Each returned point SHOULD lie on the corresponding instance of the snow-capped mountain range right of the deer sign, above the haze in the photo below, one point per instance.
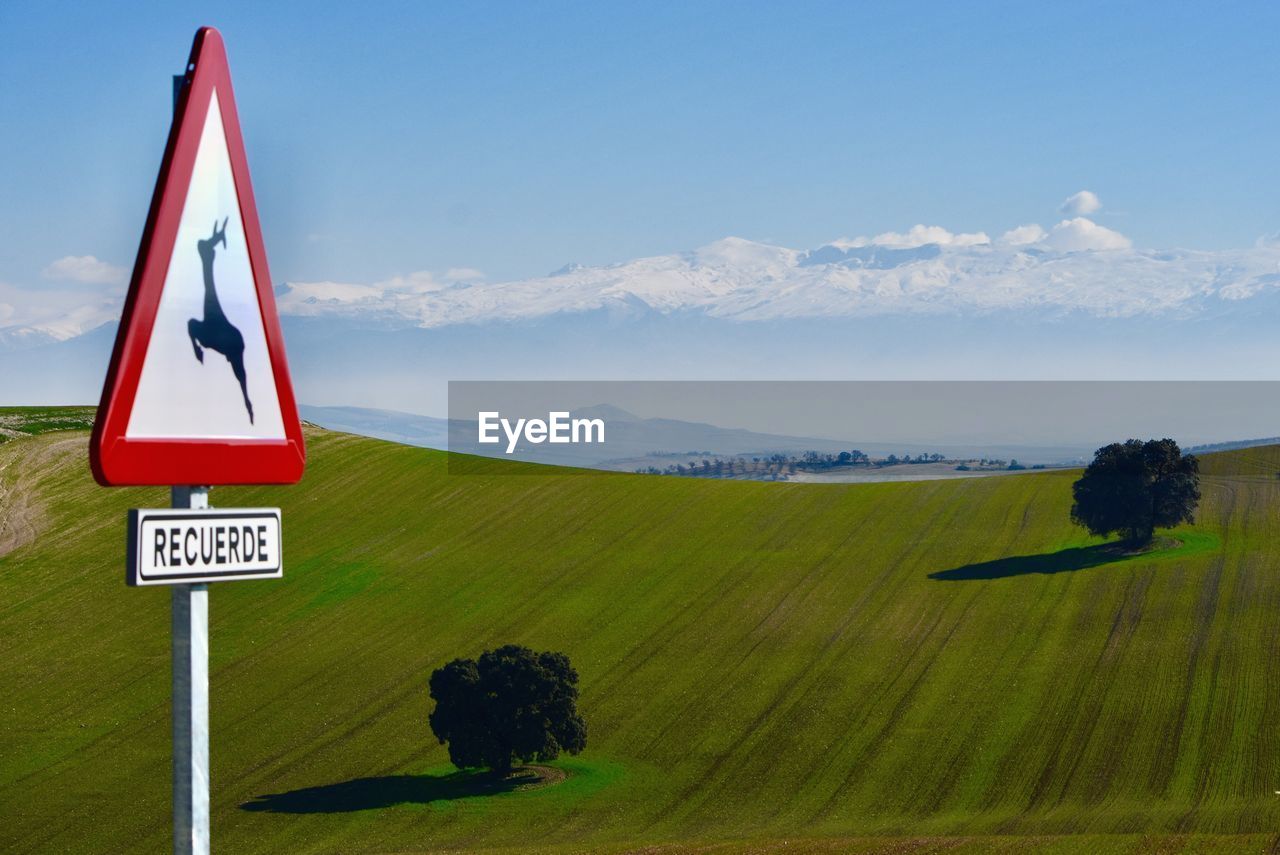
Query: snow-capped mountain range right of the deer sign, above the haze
(1078, 267)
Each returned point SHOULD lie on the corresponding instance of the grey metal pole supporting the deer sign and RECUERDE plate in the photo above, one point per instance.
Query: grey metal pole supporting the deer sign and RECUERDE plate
(190, 703)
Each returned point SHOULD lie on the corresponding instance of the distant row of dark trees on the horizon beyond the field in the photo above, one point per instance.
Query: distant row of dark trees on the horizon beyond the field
(780, 467)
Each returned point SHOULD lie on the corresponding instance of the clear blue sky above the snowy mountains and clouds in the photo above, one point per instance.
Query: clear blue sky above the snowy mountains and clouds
(515, 138)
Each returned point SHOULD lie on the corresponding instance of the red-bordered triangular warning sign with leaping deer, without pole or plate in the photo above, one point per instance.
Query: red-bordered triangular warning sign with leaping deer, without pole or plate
(199, 391)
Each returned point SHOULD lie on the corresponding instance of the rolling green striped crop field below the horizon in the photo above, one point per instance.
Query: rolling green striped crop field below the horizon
(765, 667)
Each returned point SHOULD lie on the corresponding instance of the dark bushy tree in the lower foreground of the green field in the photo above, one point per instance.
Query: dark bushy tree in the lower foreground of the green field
(510, 706)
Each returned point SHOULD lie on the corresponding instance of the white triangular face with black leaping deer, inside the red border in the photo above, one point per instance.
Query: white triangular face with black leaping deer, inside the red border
(208, 374)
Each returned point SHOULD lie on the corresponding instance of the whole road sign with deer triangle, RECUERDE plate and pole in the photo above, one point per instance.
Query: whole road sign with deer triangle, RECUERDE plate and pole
(198, 394)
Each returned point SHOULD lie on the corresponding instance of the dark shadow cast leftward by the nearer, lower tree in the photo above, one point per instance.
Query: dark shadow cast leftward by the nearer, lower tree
(386, 792)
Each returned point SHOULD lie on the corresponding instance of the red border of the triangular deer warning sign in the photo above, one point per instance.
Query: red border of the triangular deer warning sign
(118, 460)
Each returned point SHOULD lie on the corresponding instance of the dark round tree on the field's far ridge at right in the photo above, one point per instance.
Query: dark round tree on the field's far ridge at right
(1137, 487)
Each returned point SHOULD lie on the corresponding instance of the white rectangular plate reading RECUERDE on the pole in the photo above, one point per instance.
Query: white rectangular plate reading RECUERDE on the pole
(182, 547)
